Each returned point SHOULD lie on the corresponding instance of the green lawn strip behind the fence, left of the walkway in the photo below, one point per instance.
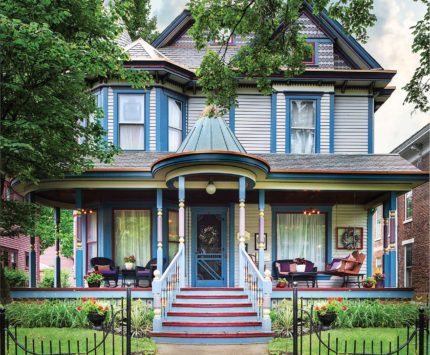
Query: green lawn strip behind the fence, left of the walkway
(75, 335)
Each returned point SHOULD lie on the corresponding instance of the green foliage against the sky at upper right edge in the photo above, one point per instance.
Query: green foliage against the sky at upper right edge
(418, 87)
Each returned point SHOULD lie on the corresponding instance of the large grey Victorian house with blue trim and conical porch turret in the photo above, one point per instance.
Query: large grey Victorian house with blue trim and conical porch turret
(296, 167)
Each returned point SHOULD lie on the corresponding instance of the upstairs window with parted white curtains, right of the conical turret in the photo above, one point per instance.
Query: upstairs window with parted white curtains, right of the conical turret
(302, 126)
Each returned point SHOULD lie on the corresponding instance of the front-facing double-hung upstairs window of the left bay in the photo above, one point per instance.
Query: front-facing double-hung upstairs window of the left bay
(131, 121)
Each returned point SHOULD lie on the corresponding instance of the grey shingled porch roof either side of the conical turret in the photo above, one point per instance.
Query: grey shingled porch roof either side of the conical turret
(288, 163)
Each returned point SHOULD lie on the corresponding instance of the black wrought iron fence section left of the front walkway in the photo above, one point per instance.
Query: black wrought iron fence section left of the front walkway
(115, 337)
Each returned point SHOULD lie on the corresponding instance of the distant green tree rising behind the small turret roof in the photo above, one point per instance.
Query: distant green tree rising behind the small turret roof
(138, 20)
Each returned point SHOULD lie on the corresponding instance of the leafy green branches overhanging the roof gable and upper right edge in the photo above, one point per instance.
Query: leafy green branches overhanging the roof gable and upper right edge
(277, 44)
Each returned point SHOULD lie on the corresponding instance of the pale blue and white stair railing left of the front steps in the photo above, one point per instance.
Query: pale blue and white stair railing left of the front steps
(166, 287)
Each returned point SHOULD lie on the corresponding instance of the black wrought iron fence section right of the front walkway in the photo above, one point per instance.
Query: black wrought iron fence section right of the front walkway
(308, 337)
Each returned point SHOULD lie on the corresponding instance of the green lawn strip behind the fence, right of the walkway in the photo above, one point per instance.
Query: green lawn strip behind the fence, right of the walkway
(386, 335)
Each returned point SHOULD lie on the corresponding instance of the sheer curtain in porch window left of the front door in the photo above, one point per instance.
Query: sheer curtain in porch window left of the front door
(132, 235)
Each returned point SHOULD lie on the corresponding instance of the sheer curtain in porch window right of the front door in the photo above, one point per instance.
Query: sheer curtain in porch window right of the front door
(301, 236)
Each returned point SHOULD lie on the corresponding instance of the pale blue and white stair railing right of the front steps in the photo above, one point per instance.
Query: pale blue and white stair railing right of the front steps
(256, 286)
